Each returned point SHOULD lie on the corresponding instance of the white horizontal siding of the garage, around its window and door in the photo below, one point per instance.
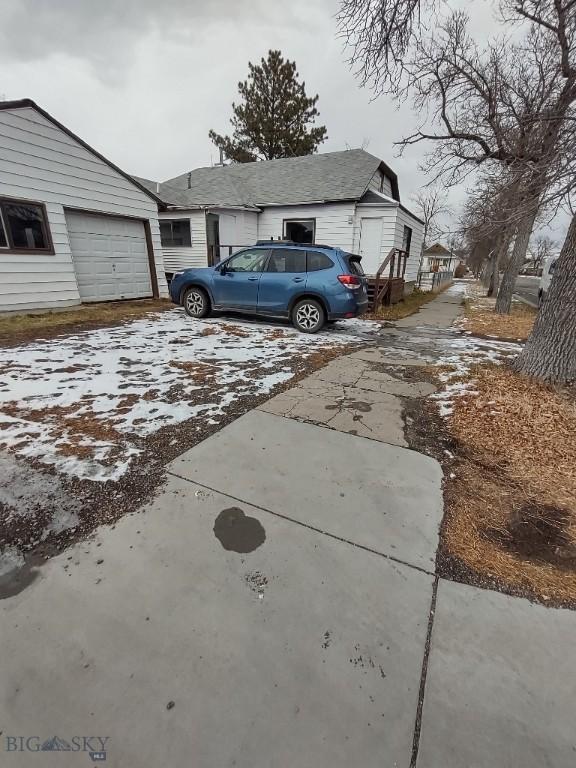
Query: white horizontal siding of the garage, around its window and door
(40, 162)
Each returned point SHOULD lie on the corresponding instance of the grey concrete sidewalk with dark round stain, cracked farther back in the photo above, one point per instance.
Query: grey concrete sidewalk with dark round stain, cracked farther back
(276, 606)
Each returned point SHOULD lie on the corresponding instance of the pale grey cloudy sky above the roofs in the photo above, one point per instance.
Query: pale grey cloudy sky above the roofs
(143, 81)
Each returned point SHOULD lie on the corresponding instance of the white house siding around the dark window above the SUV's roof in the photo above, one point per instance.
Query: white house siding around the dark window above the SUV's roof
(334, 222)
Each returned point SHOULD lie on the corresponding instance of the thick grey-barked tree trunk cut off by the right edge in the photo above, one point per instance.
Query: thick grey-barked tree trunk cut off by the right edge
(550, 352)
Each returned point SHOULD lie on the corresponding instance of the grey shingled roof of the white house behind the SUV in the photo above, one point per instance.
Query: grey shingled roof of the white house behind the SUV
(330, 177)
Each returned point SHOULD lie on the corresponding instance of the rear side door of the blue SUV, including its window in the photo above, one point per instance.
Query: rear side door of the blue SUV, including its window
(284, 278)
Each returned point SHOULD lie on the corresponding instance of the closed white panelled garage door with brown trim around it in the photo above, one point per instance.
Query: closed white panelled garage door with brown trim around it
(110, 257)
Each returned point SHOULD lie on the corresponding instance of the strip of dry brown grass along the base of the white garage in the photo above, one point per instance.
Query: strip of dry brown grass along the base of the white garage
(27, 326)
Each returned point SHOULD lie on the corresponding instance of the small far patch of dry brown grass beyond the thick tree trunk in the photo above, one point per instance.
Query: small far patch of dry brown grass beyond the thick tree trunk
(481, 320)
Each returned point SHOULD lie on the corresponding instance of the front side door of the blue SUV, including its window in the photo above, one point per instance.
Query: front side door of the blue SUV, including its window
(237, 287)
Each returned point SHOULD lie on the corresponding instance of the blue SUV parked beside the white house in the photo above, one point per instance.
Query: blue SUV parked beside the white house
(309, 284)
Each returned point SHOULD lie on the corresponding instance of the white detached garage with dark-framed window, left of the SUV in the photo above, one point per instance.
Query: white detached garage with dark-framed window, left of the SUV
(73, 227)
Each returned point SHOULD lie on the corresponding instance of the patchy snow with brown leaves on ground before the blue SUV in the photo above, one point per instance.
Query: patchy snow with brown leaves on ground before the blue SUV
(83, 403)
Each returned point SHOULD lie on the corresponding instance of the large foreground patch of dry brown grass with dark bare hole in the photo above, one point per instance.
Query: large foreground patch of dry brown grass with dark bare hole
(511, 507)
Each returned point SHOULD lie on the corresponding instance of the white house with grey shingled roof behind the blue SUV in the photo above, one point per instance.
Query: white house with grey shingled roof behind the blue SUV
(346, 199)
